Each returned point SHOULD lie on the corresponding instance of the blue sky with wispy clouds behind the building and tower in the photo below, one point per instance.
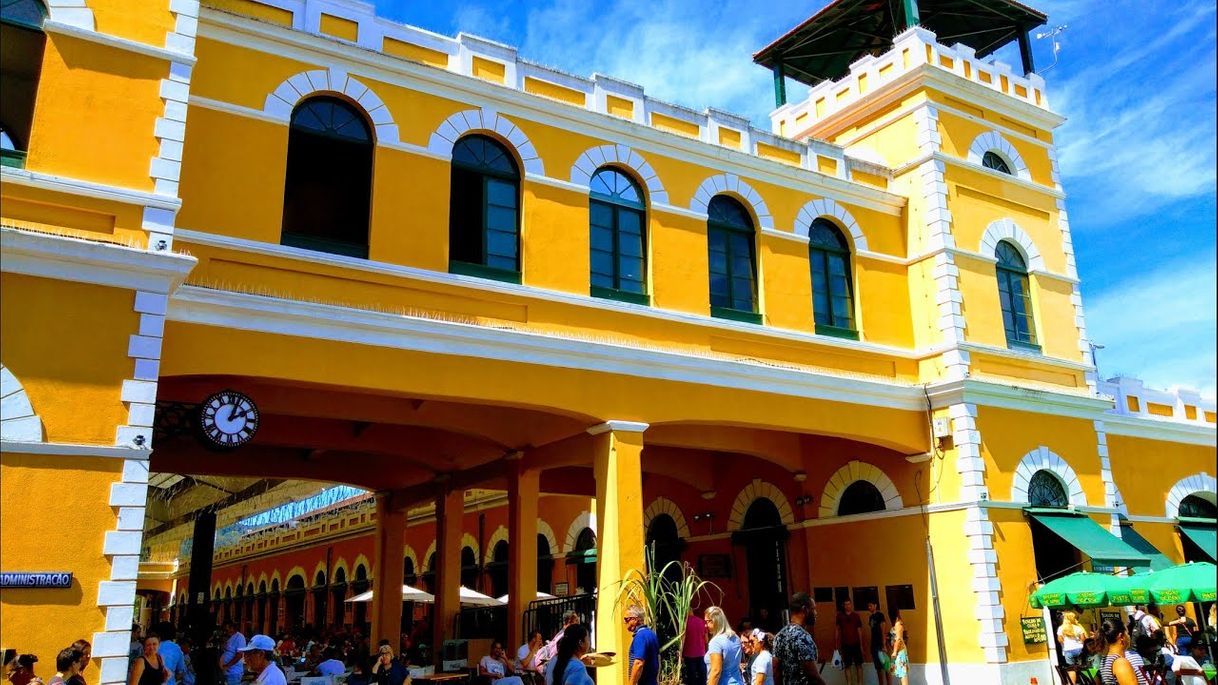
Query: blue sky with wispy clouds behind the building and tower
(1135, 77)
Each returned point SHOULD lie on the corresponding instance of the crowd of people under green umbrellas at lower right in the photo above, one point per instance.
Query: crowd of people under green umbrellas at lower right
(1149, 649)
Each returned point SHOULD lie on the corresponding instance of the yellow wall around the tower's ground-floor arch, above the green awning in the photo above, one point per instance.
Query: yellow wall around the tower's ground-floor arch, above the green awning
(1008, 436)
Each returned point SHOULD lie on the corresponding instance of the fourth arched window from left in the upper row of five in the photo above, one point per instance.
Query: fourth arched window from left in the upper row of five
(733, 252)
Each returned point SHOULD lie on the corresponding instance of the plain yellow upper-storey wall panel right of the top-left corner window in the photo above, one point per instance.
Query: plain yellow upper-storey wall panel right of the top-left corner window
(96, 113)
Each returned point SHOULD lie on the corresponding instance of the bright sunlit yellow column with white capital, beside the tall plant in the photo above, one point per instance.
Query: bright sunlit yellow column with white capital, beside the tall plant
(618, 469)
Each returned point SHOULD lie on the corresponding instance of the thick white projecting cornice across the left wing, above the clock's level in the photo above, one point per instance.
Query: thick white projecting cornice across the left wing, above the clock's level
(83, 261)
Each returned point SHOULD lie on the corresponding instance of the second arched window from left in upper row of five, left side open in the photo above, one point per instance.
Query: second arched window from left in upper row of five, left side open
(484, 211)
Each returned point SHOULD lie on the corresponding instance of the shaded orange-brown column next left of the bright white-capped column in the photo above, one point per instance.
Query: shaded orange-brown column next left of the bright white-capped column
(523, 491)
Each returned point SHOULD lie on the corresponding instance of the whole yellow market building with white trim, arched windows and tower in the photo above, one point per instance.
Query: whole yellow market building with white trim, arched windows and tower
(882, 291)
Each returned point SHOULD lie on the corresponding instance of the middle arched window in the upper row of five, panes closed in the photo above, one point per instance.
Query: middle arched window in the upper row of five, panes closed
(618, 236)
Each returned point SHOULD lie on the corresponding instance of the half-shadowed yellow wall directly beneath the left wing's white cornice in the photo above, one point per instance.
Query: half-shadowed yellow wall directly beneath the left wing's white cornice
(68, 341)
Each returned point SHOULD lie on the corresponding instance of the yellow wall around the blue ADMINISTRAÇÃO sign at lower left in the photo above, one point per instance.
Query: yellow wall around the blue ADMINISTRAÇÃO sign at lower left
(54, 514)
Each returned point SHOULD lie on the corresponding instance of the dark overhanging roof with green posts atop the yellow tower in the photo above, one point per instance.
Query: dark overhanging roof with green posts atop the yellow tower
(824, 47)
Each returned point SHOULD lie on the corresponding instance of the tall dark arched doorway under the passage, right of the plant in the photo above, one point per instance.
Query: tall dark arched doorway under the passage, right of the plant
(764, 538)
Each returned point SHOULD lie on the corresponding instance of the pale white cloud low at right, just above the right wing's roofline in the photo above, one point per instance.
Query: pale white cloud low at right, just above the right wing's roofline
(1160, 327)
